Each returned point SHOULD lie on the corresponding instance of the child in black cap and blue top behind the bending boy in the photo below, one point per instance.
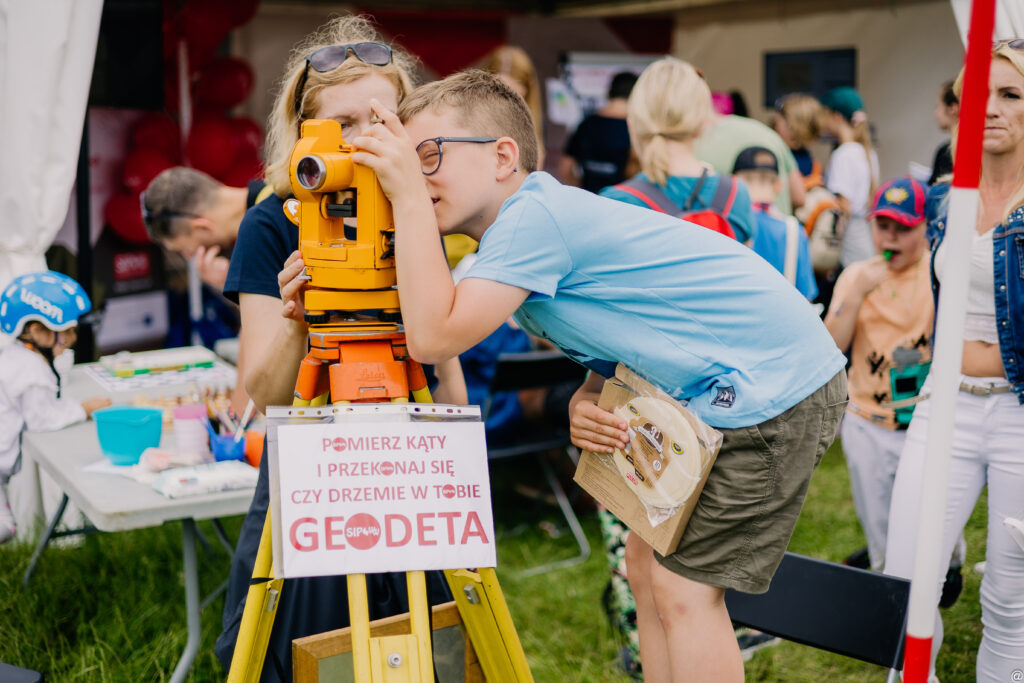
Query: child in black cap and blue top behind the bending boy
(781, 240)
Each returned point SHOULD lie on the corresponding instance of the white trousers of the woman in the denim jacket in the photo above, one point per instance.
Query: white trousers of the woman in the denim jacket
(988, 451)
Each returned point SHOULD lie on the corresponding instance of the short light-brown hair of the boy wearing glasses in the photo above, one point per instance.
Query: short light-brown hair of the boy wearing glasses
(485, 105)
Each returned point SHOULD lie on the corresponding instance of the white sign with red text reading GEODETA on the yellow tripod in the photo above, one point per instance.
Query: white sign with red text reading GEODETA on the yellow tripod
(373, 497)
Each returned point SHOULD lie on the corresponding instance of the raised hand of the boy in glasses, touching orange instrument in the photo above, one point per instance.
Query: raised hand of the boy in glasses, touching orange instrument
(388, 150)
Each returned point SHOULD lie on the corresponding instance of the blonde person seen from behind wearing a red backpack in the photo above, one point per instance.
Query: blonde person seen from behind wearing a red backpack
(667, 112)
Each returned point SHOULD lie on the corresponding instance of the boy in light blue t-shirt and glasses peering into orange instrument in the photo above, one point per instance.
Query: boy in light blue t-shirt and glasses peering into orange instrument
(702, 317)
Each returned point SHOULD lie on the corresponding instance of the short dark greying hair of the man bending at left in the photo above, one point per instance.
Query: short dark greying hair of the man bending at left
(177, 193)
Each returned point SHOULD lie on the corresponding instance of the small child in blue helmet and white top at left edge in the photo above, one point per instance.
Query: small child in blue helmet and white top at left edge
(41, 312)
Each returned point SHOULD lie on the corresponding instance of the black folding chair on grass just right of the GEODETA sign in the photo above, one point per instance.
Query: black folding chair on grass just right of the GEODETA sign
(535, 370)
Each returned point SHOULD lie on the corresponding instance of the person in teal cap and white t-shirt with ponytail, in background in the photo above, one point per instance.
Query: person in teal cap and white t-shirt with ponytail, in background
(854, 169)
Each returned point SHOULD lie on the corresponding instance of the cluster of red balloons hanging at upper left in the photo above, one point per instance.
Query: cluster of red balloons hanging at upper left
(224, 146)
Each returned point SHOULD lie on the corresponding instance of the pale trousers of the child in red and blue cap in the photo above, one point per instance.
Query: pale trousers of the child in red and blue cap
(872, 456)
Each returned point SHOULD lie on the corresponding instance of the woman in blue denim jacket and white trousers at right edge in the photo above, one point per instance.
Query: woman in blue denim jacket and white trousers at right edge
(989, 433)
